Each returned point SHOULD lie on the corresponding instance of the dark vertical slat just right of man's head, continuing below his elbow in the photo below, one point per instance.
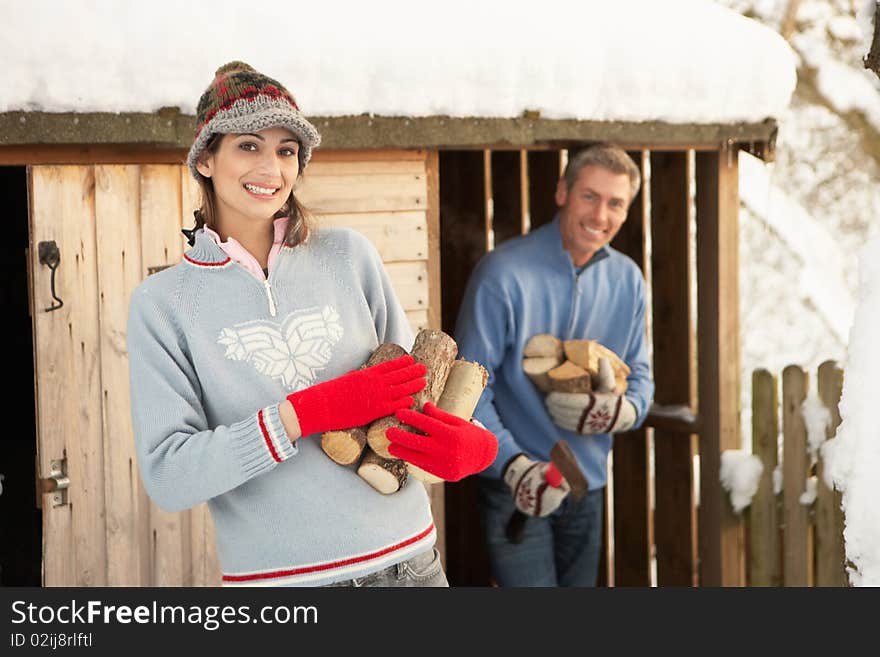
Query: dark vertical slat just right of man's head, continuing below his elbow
(633, 530)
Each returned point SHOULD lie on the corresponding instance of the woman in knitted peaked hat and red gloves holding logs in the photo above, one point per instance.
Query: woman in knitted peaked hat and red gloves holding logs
(253, 344)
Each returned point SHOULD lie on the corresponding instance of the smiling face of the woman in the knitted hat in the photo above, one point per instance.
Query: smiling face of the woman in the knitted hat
(253, 175)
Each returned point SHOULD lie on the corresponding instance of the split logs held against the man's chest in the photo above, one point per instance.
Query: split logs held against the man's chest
(571, 365)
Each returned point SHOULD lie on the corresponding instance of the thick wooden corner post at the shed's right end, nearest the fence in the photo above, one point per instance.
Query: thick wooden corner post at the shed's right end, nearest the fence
(721, 536)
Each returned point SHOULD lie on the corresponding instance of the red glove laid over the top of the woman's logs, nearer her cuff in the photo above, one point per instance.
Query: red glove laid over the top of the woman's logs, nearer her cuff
(358, 397)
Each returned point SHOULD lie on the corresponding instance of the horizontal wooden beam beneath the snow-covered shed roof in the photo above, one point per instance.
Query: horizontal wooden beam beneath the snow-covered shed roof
(171, 129)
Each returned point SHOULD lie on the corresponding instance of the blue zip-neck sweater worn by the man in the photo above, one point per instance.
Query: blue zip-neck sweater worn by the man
(528, 286)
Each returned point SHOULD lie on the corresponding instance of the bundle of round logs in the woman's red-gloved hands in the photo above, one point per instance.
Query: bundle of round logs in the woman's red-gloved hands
(453, 385)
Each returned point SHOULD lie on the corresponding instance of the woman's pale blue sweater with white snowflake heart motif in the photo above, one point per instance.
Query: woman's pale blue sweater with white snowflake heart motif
(212, 352)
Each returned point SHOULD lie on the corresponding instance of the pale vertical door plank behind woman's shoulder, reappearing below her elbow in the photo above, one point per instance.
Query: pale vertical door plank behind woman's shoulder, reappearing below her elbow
(160, 204)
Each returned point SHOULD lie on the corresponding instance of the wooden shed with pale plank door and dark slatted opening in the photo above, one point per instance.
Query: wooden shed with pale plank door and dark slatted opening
(96, 203)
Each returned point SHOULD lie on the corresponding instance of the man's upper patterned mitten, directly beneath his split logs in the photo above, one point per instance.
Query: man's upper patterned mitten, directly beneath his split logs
(593, 412)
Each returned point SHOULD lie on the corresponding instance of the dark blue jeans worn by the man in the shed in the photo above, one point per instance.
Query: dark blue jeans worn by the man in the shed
(561, 549)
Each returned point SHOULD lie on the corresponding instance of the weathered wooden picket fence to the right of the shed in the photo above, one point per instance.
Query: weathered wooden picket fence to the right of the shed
(790, 543)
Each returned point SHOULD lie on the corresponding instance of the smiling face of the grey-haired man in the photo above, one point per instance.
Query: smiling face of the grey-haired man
(592, 211)
